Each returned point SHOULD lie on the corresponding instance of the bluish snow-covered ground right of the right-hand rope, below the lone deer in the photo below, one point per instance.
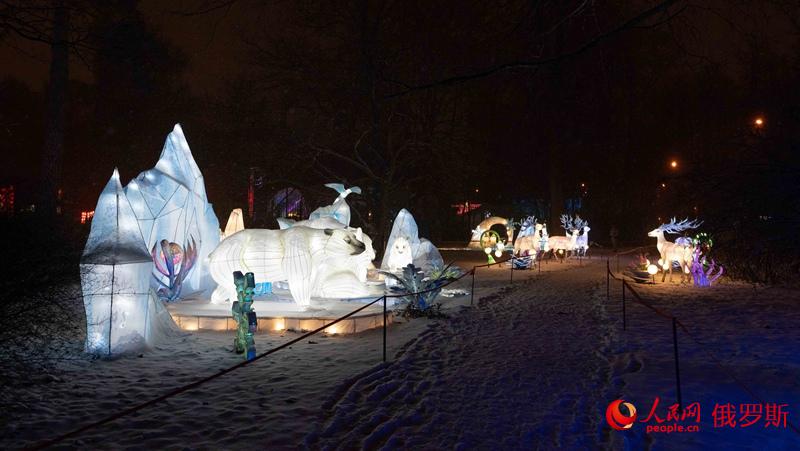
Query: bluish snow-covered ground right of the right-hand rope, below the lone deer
(748, 339)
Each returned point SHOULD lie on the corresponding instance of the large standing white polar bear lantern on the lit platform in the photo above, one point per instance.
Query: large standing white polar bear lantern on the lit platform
(307, 258)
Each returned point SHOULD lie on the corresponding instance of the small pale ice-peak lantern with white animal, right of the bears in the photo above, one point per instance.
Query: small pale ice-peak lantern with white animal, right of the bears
(405, 246)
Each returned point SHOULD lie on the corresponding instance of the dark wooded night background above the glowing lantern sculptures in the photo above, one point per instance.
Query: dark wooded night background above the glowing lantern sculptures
(425, 106)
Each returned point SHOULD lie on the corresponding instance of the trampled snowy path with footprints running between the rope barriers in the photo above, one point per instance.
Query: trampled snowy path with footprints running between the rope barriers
(522, 369)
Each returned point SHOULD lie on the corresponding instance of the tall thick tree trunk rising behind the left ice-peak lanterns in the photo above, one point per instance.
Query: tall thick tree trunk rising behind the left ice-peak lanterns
(54, 116)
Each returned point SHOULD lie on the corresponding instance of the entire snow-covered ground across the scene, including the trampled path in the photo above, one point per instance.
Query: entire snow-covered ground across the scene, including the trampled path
(530, 366)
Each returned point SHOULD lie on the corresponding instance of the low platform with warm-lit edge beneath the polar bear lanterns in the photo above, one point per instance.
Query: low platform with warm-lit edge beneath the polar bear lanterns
(277, 314)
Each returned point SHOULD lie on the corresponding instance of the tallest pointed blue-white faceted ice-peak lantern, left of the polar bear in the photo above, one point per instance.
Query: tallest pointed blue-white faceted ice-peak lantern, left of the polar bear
(169, 202)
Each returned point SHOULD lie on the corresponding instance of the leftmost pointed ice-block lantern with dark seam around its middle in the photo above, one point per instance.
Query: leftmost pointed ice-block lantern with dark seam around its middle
(115, 267)
